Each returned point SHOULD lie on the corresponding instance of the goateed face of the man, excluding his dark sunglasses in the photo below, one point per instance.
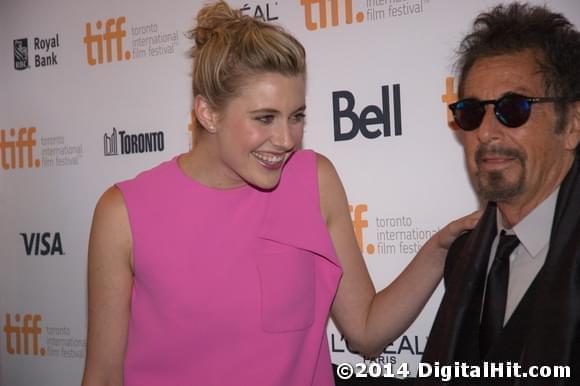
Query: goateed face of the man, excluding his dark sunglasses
(522, 165)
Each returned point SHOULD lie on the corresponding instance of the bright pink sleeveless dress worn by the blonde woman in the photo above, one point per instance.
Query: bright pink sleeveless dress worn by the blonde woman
(231, 287)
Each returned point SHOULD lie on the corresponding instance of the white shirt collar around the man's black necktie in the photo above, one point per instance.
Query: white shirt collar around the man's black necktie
(534, 229)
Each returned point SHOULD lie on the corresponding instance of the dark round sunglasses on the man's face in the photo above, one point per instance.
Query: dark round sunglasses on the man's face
(512, 110)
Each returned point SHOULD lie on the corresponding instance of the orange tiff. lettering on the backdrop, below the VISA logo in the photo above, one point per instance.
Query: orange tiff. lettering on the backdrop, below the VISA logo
(23, 336)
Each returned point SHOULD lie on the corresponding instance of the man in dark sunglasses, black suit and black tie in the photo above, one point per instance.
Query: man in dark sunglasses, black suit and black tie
(513, 283)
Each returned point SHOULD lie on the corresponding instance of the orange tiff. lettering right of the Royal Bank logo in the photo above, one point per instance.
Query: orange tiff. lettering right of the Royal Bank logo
(114, 32)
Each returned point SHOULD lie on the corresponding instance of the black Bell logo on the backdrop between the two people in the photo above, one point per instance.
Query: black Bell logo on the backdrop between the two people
(370, 115)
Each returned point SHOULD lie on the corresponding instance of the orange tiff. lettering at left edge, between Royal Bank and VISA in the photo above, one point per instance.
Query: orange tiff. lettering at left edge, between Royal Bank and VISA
(15, 149)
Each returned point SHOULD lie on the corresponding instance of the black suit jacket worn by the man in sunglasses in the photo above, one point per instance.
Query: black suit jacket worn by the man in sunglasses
(544, 328)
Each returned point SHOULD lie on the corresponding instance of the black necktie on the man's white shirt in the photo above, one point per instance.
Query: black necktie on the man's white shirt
(496, 293)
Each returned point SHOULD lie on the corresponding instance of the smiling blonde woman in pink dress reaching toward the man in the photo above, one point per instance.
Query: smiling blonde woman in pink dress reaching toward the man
(221, 266)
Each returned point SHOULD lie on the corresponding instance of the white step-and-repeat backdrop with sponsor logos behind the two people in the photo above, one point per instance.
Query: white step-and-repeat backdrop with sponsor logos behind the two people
(92, 92)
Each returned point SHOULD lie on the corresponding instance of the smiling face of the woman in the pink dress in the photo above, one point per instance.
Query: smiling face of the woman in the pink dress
(259, 129)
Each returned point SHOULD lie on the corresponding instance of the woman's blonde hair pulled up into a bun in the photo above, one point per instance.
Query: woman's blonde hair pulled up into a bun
(230, 48)
